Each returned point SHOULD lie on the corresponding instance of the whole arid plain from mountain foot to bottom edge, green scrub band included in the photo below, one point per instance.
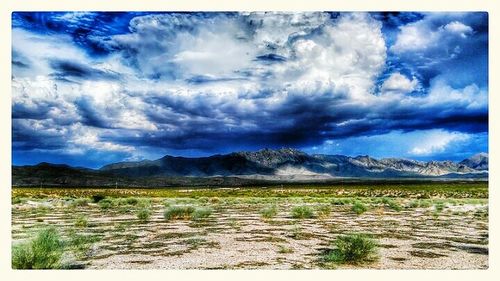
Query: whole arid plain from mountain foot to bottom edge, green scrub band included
(415, 226)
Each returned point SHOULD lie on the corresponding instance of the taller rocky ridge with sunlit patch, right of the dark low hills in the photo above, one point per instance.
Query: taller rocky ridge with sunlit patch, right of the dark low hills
(292, 162)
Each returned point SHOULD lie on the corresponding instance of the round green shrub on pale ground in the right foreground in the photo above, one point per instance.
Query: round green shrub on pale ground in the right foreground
(353, 248)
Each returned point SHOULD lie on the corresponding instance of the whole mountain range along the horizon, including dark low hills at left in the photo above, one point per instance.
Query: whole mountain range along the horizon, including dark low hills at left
(284, 164)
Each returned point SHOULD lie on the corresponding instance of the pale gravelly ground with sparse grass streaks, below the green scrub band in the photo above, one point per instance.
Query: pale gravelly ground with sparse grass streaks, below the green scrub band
(236, 237)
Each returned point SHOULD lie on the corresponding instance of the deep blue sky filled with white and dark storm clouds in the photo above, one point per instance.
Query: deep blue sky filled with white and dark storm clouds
(92, 88)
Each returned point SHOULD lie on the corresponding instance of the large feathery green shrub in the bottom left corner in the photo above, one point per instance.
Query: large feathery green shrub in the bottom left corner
(42, 252)
